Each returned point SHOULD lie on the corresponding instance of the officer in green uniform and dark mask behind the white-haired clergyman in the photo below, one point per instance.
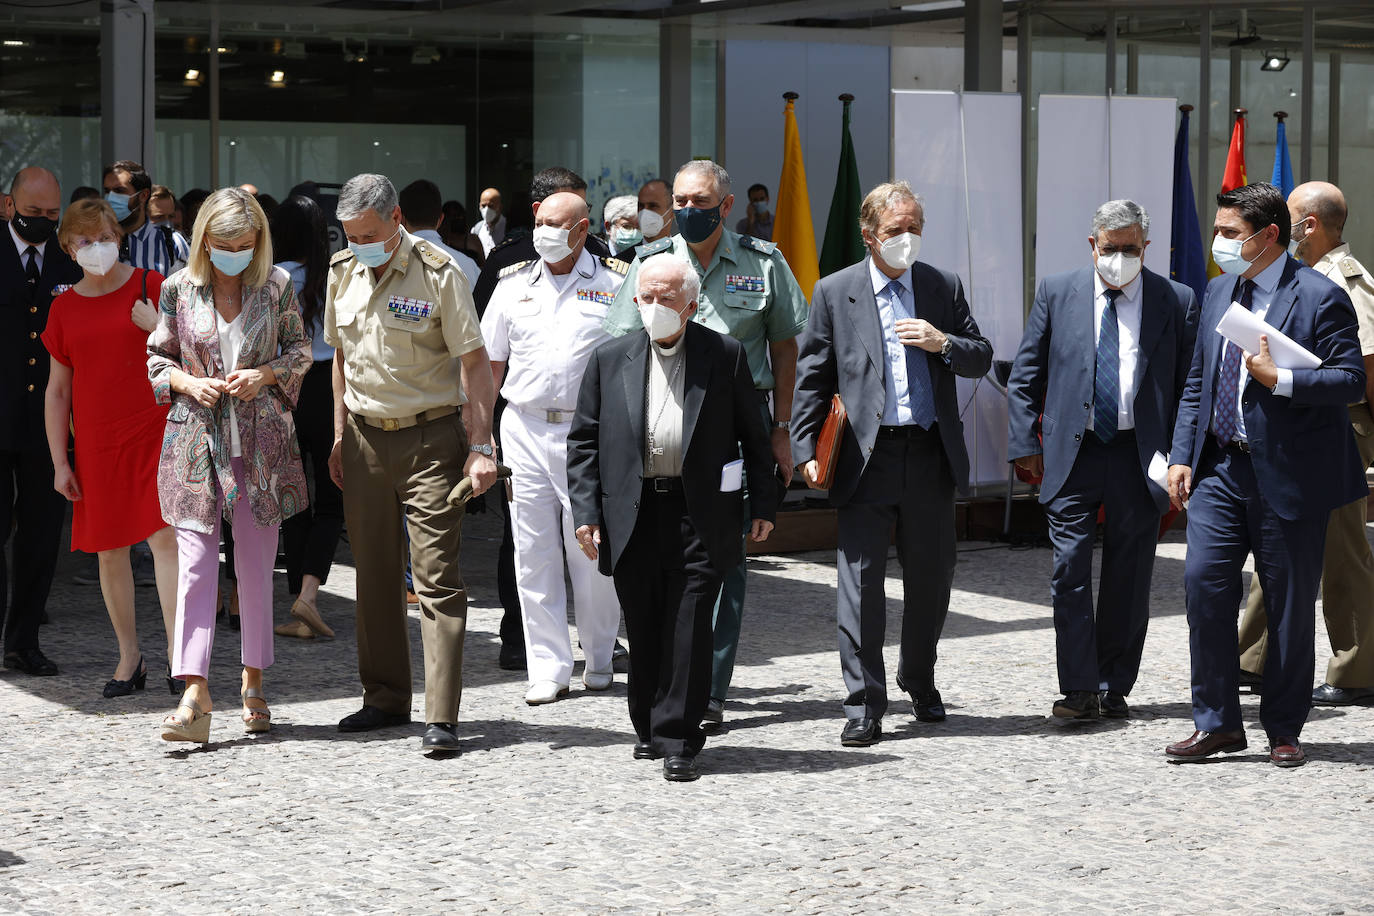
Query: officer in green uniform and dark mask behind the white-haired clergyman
(750, 293)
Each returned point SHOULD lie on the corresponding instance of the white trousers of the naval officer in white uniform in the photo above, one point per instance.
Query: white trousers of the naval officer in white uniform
(542, 520)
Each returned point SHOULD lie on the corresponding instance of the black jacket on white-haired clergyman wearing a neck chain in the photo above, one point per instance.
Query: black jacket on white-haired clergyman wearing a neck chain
(721, 415)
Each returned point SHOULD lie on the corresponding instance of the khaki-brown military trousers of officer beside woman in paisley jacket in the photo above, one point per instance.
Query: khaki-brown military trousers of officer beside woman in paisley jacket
(385, 474)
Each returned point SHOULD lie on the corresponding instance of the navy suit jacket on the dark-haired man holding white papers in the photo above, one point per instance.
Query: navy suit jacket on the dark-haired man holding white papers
(1303, 450)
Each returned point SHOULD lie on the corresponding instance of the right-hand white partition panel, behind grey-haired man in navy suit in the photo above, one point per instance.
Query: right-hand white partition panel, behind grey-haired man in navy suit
(1092, 152)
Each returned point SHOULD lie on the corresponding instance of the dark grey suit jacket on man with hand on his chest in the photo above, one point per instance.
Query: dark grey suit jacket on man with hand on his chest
(843, 351)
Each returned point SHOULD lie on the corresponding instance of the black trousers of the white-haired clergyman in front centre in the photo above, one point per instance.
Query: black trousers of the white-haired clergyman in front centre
(668, 588)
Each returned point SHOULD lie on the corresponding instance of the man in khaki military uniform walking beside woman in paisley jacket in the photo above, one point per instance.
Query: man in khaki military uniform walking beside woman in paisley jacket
(413, 415)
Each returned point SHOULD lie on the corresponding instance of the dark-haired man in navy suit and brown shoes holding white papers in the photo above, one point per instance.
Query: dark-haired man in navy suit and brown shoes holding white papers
(1266, 454)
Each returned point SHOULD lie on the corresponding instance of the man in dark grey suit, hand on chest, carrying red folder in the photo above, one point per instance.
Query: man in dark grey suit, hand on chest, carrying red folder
(890, 336)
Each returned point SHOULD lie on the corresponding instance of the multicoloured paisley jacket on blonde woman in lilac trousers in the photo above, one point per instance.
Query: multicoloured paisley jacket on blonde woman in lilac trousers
(194, 468)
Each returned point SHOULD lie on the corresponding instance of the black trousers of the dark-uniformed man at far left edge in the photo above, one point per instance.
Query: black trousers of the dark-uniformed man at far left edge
(32, 512)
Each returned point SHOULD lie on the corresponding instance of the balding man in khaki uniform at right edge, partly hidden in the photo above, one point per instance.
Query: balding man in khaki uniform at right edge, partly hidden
(1318, 212)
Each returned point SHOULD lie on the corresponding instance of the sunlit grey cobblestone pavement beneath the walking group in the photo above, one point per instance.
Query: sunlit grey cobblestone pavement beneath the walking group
(1000, 810)
